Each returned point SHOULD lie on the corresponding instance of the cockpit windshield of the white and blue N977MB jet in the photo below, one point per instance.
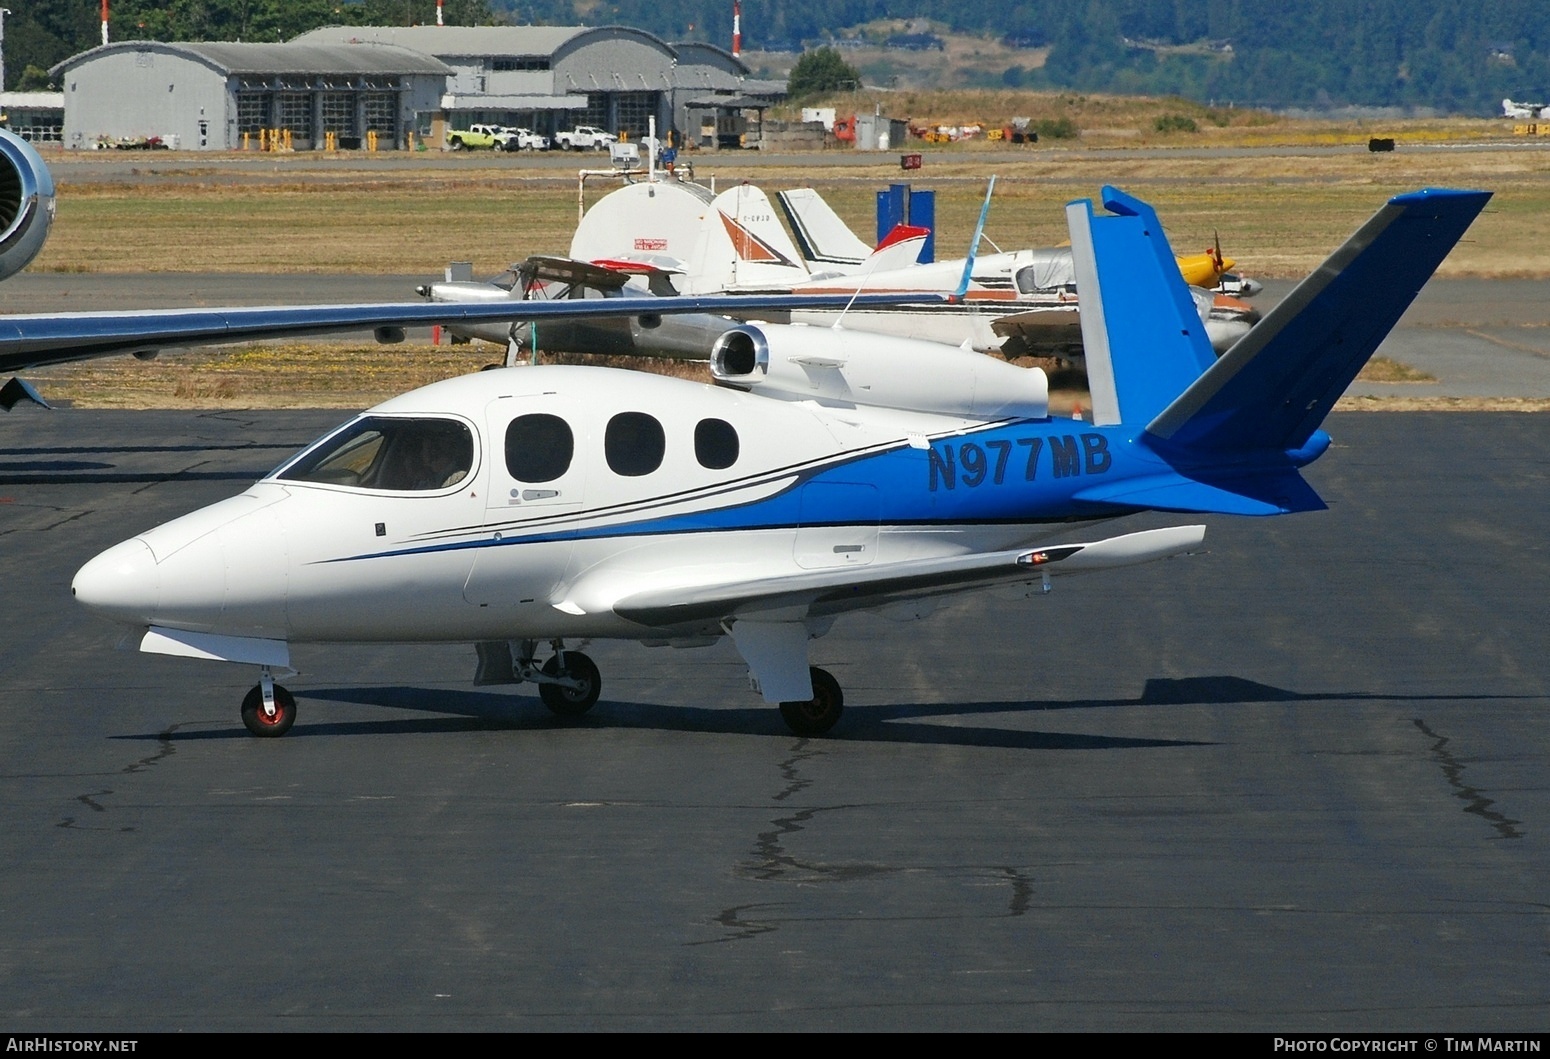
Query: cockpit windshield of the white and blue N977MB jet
(391, 454)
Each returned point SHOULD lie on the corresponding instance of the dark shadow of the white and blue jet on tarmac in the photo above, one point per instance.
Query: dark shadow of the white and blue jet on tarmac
(463, 711)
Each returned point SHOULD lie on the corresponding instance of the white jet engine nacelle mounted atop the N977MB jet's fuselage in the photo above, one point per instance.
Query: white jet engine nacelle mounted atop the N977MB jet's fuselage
(836, 367)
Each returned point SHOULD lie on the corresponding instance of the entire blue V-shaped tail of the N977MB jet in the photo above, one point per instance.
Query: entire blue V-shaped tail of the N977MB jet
(1233, 433)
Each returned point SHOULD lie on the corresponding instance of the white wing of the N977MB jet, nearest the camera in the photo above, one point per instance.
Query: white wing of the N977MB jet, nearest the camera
(850, 588)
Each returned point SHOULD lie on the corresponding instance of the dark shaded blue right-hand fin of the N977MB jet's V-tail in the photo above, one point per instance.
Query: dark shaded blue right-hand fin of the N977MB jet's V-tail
(1276, 385)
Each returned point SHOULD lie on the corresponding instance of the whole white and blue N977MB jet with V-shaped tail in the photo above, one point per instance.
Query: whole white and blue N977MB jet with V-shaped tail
(824, 472)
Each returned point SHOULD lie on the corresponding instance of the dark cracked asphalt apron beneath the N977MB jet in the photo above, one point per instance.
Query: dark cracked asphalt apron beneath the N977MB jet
(1293, 784)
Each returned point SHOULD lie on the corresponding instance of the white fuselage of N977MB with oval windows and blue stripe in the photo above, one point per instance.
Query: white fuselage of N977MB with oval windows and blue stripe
(346, 554)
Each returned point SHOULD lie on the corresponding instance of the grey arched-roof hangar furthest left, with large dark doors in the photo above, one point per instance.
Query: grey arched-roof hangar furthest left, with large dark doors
(208, 95)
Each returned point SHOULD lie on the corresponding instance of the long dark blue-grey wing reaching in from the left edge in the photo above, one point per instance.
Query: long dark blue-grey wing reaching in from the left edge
(53, 339)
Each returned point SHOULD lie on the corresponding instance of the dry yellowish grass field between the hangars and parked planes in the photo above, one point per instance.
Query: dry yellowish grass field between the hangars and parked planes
(1278, 212)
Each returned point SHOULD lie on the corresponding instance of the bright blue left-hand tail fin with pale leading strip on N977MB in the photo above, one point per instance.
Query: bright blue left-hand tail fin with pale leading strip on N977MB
(1142, 334)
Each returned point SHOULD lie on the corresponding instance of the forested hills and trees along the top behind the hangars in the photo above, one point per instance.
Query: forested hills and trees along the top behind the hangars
(1453, 55)
